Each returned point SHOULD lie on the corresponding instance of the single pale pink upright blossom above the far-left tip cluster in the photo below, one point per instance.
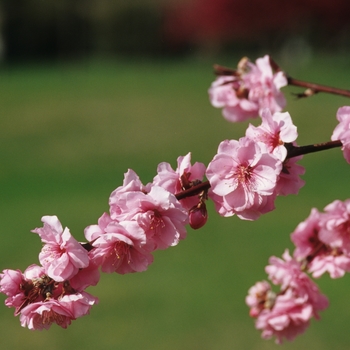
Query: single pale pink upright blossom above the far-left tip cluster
(62, 256)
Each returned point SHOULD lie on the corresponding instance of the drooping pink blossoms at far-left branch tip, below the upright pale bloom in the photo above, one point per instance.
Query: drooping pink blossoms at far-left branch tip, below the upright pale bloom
(40, 300)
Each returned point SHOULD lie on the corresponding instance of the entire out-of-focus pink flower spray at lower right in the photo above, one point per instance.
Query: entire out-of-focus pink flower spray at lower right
(322, 245)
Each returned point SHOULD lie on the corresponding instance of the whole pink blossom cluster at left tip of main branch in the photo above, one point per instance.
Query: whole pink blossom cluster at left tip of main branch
(53, 292)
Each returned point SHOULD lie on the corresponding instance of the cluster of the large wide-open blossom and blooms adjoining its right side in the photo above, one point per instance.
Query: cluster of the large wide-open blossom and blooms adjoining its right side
(247, 175)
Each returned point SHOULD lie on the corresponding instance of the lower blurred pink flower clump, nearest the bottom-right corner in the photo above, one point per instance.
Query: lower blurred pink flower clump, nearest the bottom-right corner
(287, 313)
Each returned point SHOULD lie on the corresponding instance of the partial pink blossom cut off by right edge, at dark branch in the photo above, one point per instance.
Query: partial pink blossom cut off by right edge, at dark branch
(342, 130)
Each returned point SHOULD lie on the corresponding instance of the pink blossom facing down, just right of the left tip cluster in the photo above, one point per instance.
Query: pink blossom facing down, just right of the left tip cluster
(118, 247)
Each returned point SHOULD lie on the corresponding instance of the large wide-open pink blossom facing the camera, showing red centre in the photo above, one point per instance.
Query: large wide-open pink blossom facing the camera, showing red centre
(243, 176)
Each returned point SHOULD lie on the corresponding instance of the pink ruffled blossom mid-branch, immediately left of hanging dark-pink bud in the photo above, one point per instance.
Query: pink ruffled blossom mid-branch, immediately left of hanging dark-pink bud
(153, 208)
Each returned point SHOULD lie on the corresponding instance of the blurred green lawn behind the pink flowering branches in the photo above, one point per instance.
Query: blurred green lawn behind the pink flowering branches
(68, 133)
